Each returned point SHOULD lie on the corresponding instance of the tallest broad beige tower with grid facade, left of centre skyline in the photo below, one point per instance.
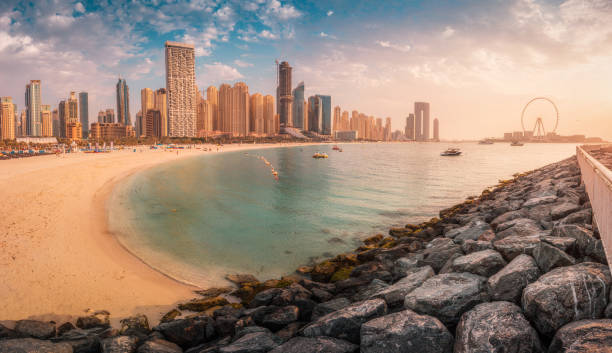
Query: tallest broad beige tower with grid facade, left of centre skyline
(181, 89)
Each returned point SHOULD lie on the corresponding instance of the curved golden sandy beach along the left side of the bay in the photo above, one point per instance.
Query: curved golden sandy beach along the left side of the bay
(58, 258)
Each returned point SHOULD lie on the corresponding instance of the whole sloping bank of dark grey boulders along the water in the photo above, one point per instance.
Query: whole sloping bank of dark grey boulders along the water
(520, 268)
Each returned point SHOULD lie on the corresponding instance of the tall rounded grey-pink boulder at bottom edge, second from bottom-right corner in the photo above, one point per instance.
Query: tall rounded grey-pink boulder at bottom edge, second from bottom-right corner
(496, 327)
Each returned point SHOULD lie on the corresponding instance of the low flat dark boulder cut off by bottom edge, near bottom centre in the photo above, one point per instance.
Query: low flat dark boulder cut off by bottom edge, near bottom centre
(316, 345)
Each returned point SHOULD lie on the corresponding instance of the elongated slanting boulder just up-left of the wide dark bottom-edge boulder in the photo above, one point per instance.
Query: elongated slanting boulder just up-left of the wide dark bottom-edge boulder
(346, 323)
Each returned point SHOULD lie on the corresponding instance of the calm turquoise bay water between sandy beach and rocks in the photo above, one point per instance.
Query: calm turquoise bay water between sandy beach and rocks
(200, 218)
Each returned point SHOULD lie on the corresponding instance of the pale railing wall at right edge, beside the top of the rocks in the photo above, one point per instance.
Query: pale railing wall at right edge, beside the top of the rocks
(597, 180)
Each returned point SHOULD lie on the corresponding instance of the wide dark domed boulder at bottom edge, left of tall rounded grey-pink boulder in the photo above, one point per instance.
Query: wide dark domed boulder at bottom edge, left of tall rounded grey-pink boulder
(405, 331)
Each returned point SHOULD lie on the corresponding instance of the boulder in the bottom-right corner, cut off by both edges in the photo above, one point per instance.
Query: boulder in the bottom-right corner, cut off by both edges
(583, 336)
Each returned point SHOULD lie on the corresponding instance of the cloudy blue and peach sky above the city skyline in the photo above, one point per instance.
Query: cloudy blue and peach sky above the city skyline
(476, 62)
